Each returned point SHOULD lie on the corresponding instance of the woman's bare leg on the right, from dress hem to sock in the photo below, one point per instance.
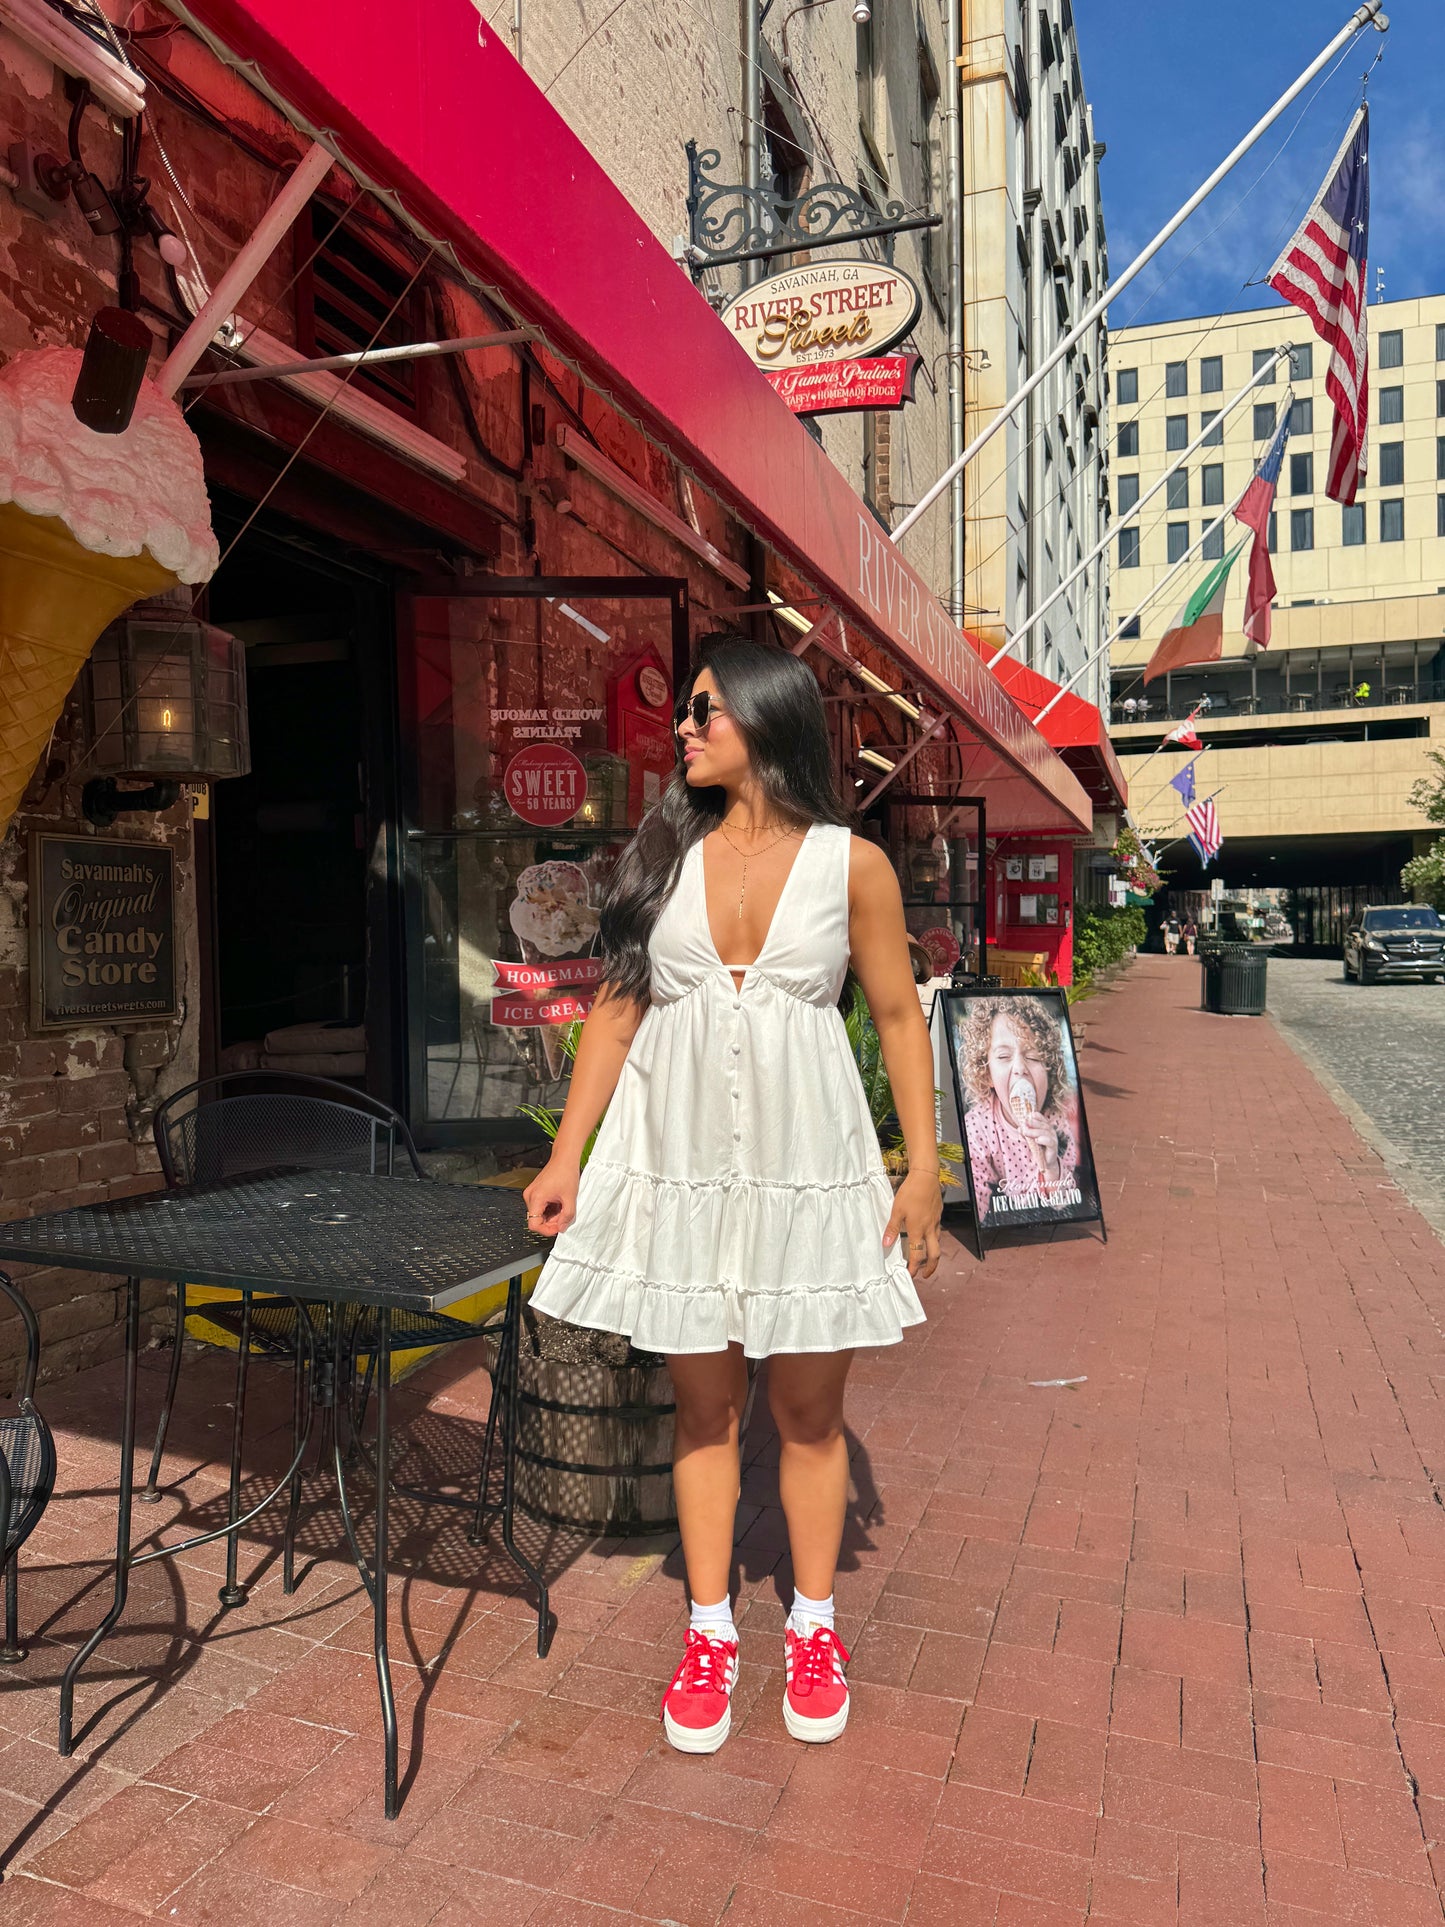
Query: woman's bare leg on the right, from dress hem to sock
(806, 1394)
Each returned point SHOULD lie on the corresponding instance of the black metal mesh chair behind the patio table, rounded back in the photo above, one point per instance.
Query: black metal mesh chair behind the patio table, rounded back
(246, 1122)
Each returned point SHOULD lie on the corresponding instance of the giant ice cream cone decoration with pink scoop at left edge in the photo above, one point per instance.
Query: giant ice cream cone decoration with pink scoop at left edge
(88, 525)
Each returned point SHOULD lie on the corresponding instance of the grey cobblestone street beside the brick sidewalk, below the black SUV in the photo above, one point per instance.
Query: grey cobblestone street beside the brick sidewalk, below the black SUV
(1384, 1047)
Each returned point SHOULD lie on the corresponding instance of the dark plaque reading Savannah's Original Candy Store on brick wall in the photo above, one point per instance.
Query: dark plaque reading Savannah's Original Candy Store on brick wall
(103, 934)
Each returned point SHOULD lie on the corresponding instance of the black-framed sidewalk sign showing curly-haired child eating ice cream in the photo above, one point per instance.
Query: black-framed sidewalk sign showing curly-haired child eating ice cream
(1026, 1134)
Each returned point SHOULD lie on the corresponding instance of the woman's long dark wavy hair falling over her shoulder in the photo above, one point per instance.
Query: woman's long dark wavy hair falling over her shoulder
(779, 710)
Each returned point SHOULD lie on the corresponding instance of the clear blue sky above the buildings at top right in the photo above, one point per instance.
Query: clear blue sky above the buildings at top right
(1174, 84)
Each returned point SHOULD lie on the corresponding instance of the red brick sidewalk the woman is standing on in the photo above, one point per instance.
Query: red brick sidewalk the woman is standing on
(1161, 1647)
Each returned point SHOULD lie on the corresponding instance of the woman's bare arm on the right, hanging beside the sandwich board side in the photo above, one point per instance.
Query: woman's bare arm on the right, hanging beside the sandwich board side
(878, 939)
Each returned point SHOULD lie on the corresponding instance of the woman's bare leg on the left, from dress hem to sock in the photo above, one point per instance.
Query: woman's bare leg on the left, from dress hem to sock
(712, 1390)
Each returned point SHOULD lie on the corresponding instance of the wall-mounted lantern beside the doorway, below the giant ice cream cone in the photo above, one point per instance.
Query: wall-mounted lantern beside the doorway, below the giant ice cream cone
(165, 699)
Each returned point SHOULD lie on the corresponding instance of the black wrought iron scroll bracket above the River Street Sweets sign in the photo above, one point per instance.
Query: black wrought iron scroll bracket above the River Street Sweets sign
(731, 224)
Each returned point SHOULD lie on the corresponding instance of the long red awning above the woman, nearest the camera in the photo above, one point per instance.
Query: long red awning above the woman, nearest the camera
(427, 105)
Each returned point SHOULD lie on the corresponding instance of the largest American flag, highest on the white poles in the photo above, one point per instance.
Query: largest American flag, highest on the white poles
(1323, 273)
